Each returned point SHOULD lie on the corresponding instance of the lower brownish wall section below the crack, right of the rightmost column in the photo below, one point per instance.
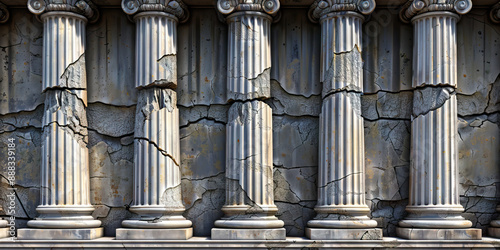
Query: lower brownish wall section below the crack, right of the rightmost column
(478, 163)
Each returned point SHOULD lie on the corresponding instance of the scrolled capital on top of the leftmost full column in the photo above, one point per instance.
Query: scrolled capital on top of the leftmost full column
(85, 8)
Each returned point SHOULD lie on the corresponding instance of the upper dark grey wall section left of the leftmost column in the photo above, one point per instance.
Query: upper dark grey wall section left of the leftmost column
(21, 62)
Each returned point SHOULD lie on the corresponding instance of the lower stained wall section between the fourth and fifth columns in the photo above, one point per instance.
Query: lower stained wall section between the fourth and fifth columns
(387, 145)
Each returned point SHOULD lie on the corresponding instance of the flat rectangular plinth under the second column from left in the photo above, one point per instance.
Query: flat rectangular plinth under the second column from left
(153, 234)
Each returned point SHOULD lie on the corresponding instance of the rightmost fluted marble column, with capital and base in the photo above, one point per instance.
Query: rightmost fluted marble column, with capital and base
(434, 210)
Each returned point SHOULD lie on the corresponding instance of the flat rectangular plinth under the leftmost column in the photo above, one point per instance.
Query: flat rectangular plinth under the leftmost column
(60, 234)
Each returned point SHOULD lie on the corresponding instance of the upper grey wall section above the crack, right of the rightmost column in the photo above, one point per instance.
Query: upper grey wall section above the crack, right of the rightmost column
(478, 60)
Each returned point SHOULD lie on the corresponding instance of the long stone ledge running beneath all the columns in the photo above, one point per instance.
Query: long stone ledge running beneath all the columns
(289, 243)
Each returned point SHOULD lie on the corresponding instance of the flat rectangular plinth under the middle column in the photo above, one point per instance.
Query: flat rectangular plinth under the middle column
(248, 234)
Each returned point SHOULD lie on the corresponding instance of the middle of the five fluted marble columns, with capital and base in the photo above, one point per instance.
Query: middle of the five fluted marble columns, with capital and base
(249, 208)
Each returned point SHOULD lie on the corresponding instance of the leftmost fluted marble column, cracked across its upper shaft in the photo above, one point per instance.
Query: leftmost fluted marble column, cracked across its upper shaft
(65, 209)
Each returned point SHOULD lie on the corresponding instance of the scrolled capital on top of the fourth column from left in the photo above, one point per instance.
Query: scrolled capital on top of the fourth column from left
(323, 7)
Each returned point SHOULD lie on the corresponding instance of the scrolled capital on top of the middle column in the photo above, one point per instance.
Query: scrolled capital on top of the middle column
(227, 7)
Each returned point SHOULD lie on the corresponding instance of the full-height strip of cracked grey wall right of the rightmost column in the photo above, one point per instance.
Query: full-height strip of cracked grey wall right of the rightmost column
(478, 93)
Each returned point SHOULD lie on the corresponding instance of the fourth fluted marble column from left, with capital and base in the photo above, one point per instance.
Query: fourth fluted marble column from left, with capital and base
(342, 213)
